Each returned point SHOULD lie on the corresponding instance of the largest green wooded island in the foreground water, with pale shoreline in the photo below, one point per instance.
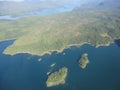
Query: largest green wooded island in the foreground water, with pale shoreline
(57, 77)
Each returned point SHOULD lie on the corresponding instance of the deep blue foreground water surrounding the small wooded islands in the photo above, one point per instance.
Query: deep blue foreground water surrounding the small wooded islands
(25, 72)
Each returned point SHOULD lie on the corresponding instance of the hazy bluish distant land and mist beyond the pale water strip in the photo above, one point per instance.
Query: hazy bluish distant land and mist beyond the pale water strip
(15, 7)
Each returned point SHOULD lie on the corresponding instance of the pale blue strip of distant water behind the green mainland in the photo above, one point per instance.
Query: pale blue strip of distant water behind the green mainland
(66, 8)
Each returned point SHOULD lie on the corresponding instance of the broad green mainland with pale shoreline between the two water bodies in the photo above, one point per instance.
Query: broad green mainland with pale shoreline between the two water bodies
(38, 35)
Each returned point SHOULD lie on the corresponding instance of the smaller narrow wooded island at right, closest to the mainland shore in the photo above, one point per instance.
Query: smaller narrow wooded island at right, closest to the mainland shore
(84, 61)
